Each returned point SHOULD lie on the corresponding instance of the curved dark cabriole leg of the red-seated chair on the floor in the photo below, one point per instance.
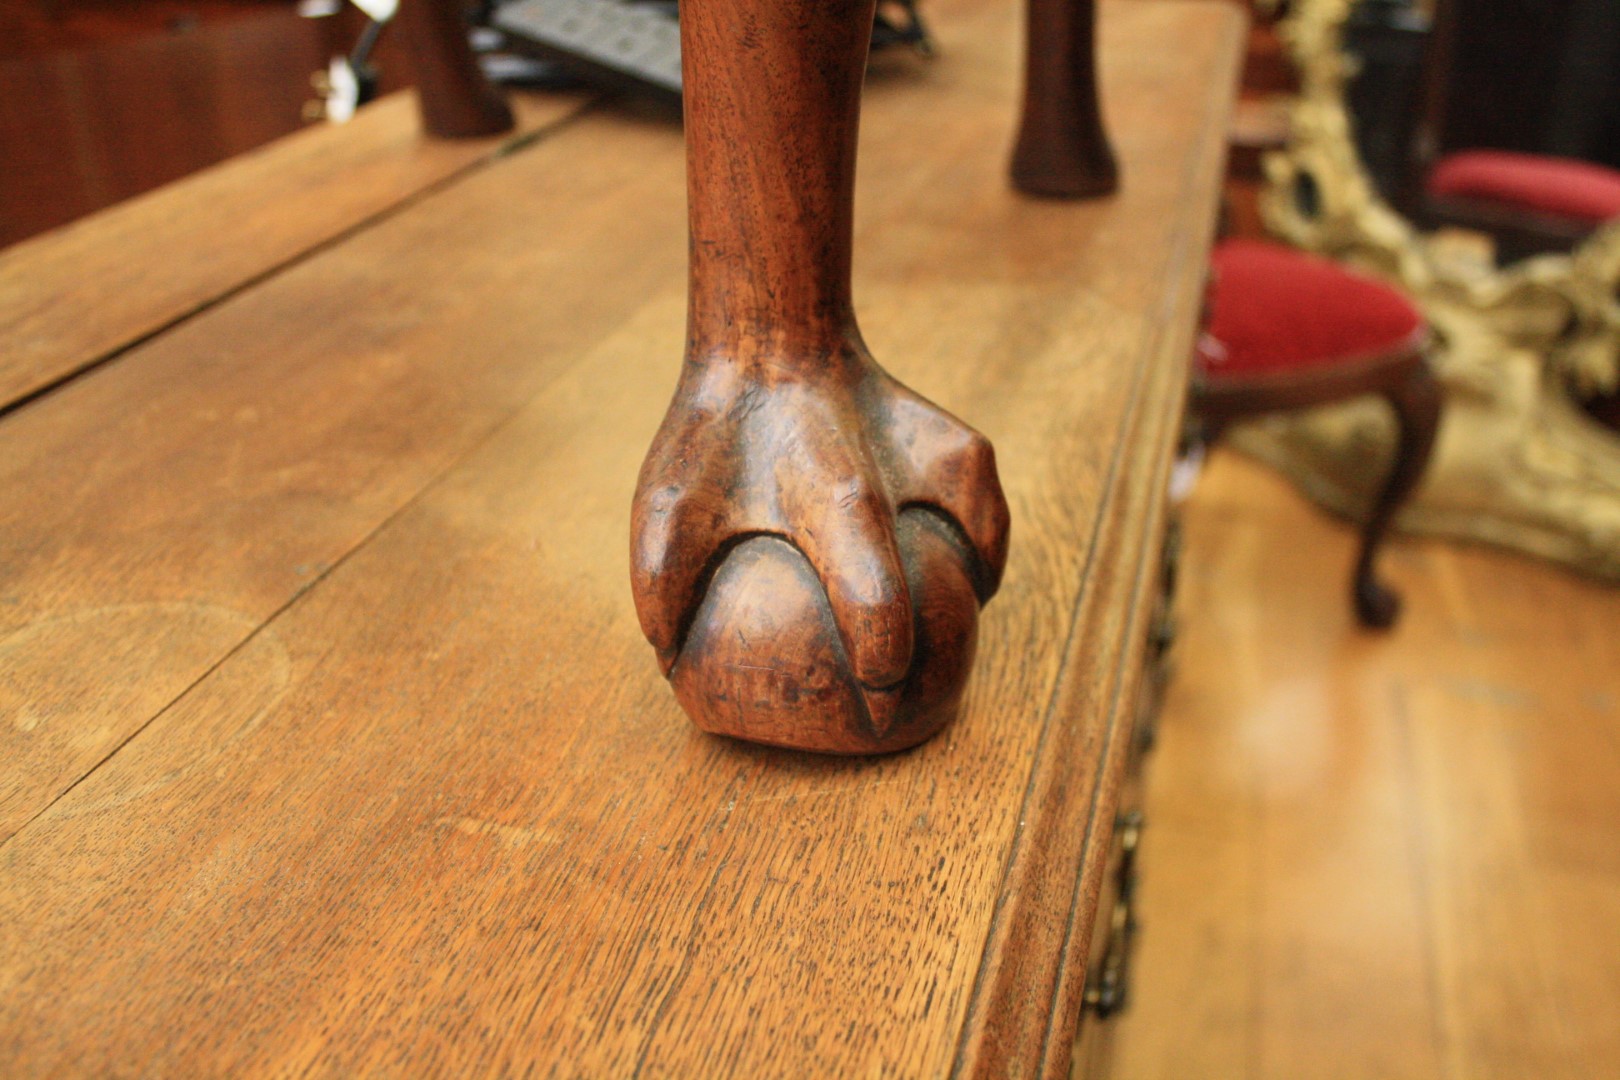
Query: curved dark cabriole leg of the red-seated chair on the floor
(1417, 404)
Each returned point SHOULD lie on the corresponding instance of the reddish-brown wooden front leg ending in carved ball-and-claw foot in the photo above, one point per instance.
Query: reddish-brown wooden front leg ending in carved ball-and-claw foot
(811, 540)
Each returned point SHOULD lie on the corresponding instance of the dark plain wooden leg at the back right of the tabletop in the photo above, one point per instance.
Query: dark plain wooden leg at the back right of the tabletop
(1064, 150)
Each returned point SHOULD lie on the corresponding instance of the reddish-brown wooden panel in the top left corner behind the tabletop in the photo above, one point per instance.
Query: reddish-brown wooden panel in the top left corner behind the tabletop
(101, 106)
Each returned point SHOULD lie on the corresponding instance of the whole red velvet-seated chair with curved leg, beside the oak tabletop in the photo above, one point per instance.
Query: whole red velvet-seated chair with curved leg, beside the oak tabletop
(1292, 331)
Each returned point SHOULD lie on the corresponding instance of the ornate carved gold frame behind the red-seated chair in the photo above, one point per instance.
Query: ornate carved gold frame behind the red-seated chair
(1517, 464)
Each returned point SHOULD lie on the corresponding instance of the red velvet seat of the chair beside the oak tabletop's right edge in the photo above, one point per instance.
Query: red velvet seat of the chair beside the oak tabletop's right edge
(1274, 310)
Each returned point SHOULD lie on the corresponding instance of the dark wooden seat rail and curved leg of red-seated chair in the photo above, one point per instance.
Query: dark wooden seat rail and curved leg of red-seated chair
(1404, 380)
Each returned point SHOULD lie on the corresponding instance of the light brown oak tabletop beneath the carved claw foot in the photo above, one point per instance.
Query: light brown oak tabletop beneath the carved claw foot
(328, 738)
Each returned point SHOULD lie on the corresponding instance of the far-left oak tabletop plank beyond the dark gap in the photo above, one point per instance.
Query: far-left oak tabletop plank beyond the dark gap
(79, 294)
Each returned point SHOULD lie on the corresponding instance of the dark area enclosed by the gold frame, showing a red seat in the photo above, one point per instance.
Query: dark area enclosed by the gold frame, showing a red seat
(1496, 117)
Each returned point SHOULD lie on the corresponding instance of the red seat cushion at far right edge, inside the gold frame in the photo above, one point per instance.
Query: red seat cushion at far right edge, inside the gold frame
(1532, 182)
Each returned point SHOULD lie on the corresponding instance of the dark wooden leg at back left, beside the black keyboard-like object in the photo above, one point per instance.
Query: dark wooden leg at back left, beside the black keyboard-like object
(456, 98)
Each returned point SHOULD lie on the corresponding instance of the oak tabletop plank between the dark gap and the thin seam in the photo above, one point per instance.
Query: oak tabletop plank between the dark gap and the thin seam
(173, 501)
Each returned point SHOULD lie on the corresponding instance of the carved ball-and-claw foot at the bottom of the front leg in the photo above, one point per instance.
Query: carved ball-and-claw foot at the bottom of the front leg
(812, 543)
